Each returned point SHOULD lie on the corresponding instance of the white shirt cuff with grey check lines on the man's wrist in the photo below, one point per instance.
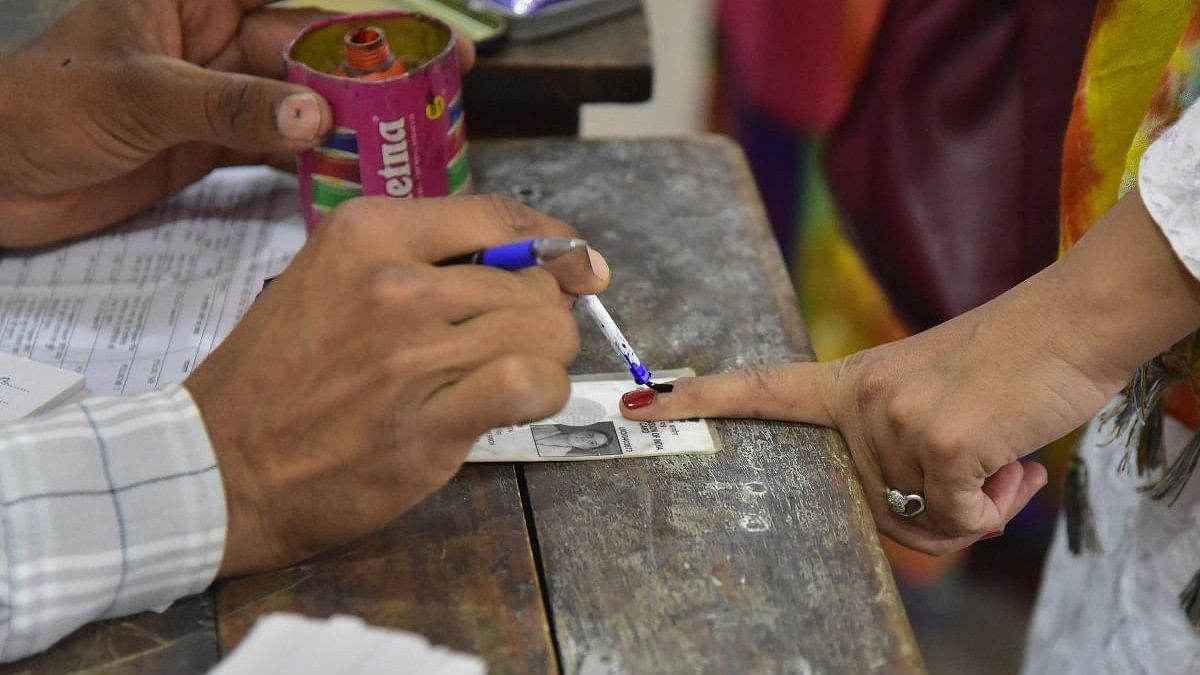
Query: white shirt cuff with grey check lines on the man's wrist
(107, 507)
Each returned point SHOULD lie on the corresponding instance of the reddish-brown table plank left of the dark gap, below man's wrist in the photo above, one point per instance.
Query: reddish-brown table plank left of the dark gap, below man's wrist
(458, 570)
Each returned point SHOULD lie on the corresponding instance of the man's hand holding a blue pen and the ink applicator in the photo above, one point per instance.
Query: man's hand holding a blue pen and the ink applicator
(359, 380)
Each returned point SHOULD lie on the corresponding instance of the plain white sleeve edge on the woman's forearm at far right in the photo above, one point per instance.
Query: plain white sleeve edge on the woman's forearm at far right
(1169, 181)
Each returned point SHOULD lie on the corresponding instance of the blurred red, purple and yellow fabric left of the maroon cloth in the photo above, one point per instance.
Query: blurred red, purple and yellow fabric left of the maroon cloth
(818, 49)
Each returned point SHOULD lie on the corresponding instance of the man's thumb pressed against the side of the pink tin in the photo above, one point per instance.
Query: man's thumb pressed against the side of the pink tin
(177, 103)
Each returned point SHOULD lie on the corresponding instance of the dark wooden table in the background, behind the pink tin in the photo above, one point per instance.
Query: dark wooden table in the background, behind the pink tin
(519, 91)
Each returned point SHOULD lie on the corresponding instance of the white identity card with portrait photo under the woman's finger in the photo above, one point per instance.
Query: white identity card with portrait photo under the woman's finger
(592, 428)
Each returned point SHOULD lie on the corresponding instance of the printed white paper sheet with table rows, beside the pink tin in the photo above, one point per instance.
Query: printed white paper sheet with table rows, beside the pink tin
(139, 308)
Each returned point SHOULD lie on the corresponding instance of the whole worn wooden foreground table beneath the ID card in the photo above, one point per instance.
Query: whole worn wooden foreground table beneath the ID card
(761, 559)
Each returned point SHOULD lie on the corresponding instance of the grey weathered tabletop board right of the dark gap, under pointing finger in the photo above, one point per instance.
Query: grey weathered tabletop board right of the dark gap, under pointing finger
(761, 559)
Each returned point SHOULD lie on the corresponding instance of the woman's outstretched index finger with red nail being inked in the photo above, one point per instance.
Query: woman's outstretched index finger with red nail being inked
(796, 392)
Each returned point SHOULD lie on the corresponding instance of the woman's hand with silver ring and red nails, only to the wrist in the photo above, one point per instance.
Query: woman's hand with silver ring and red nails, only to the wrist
(946, 414)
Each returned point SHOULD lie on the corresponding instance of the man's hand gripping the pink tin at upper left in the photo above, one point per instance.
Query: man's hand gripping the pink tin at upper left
(123, 103)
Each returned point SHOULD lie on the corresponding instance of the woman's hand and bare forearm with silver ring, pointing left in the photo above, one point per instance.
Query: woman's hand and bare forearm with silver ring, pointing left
(951, 411)
